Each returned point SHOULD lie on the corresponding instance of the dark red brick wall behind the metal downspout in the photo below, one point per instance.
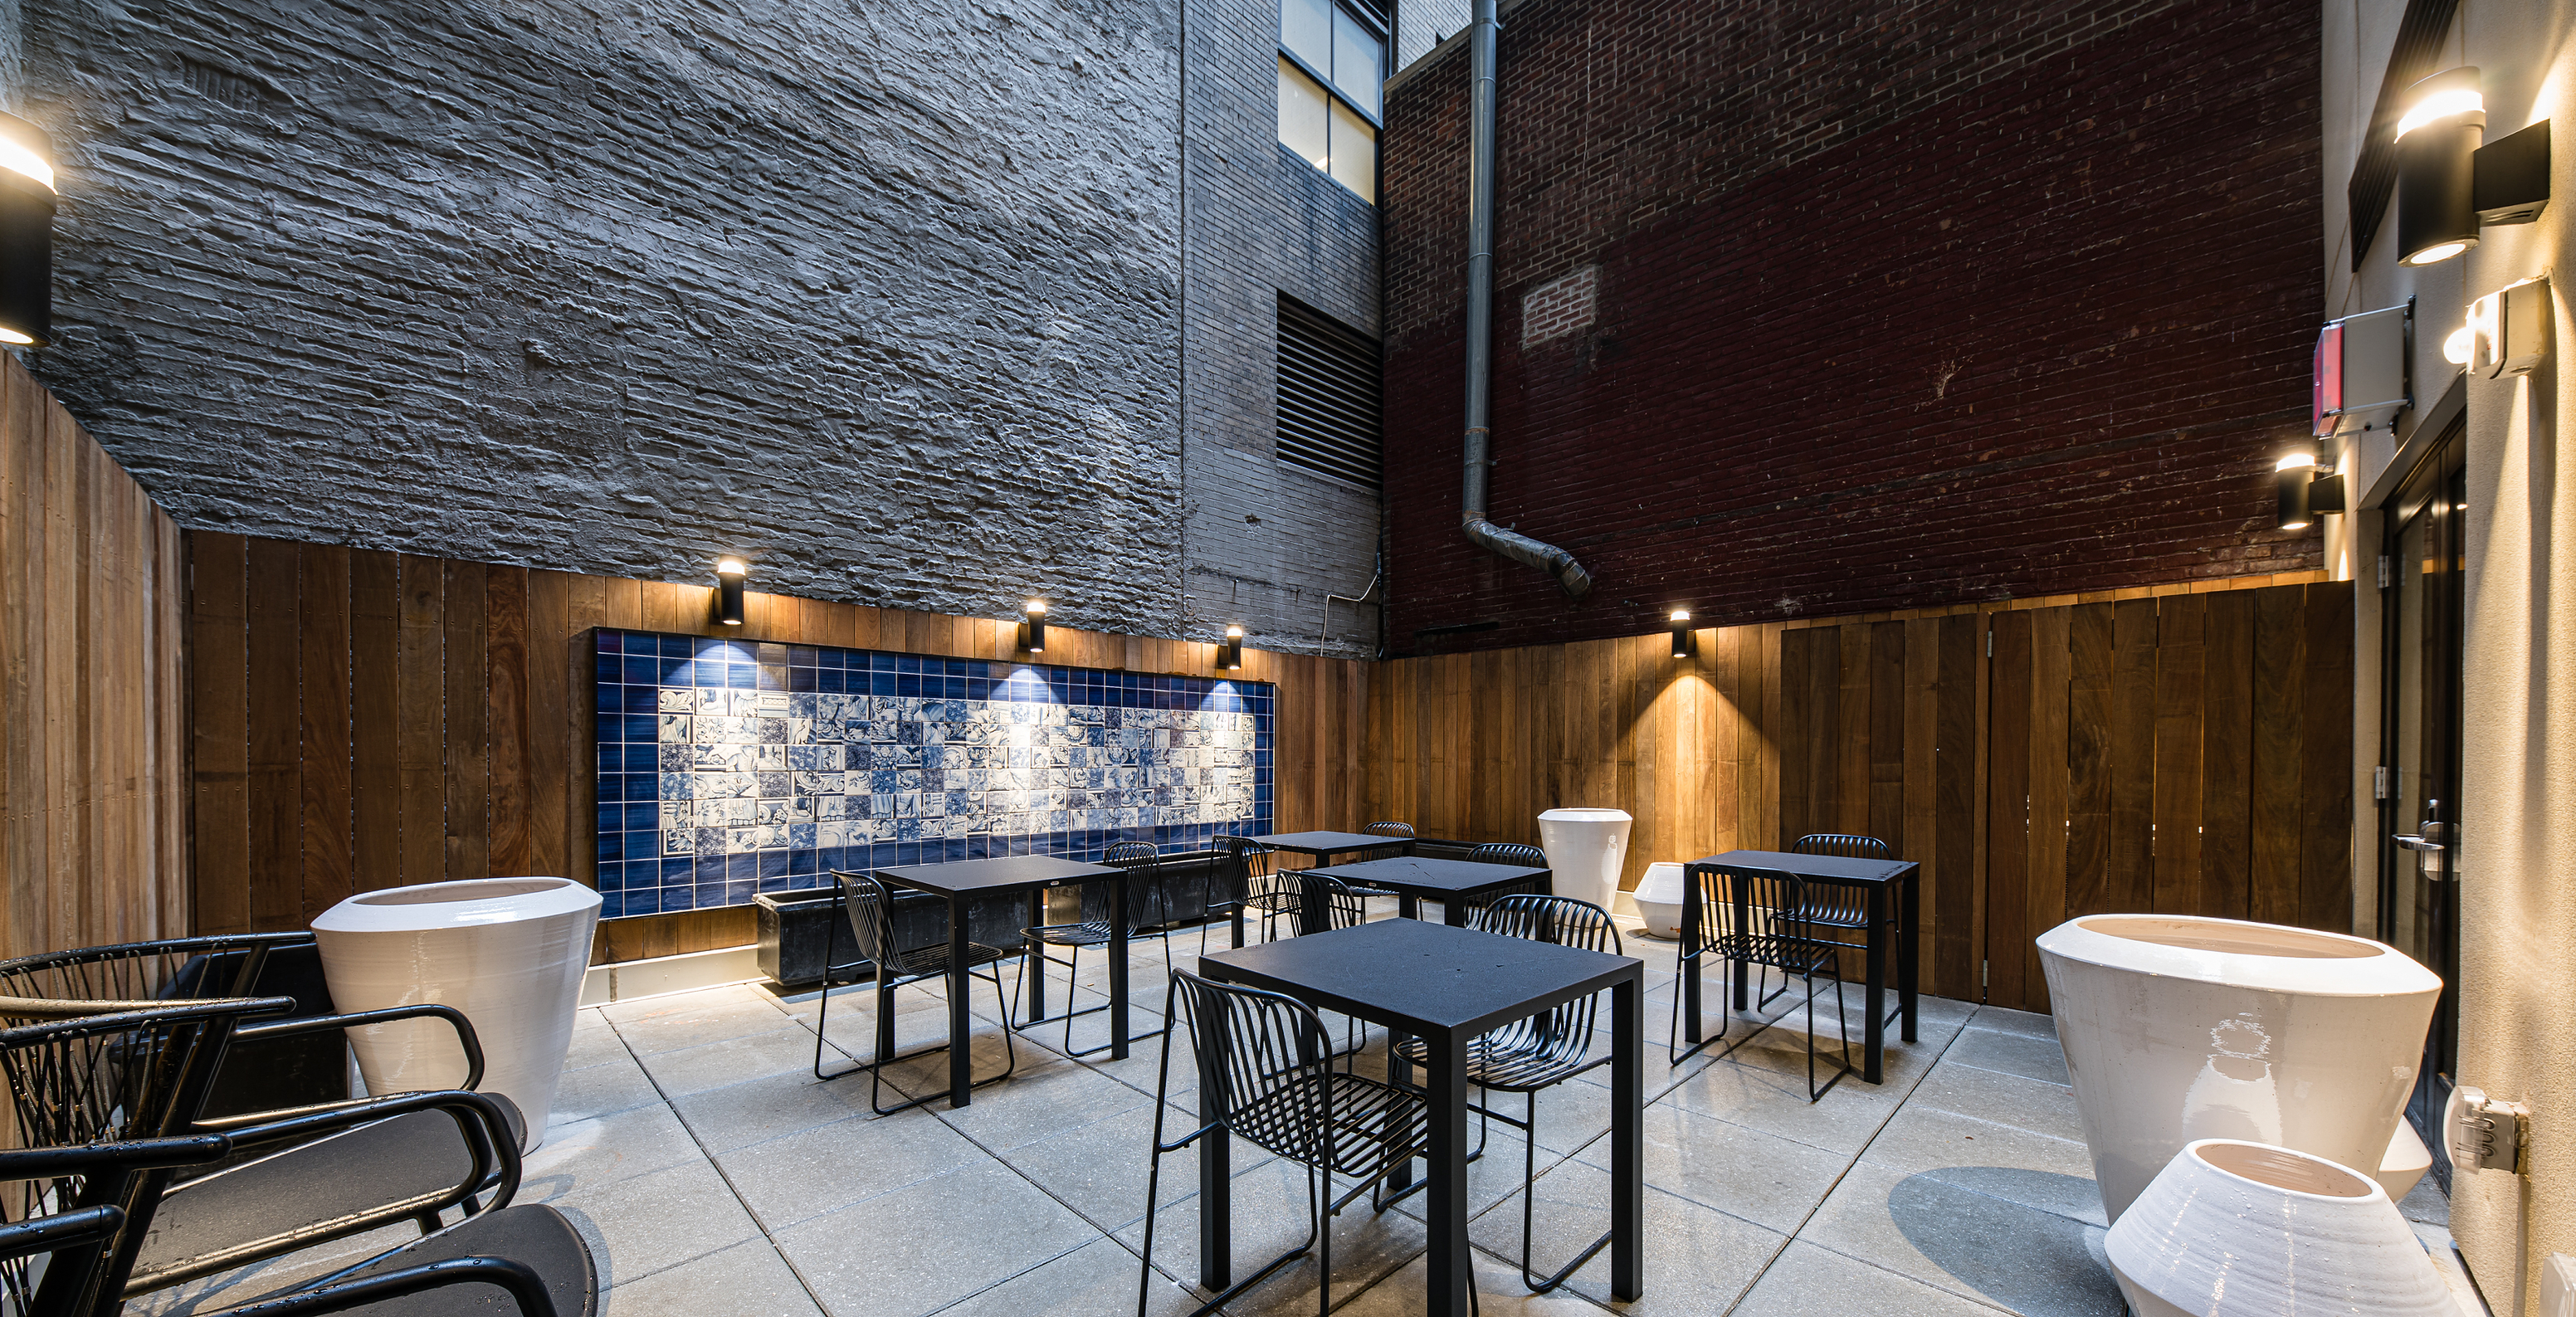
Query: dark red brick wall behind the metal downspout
(1897, 305)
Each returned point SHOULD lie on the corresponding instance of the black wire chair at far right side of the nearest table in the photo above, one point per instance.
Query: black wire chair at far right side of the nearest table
(1537, 1053)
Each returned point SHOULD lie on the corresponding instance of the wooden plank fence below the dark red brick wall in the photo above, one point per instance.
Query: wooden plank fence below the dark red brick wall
(2175, 751)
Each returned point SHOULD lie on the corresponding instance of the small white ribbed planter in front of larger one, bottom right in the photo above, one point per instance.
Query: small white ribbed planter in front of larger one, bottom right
(2240, 1231)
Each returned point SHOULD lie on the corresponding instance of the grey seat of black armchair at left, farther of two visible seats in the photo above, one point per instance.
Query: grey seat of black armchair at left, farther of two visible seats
(308, 1192)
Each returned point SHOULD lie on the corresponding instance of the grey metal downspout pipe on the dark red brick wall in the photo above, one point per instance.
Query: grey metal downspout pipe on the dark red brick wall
(1480, 323)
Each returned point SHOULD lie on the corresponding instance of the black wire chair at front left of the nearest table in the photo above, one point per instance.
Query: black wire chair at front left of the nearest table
(1266, 1076)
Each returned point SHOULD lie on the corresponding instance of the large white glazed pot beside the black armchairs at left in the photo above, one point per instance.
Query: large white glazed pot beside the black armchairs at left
(504, 952)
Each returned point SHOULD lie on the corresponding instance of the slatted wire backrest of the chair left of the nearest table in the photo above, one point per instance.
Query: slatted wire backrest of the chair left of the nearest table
(1266, 1061)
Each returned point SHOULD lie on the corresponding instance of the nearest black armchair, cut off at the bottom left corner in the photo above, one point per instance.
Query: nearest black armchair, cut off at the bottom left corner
(532, 1254)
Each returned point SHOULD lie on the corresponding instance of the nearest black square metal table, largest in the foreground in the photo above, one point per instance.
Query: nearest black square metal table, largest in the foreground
(1446, 986)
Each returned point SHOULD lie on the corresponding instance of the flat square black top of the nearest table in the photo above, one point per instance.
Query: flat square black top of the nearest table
(1423, 978)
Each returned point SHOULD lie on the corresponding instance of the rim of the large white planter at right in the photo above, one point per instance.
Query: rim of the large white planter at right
(2240, 955)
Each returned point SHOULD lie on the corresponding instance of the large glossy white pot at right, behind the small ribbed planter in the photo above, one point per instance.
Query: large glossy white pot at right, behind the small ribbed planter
(2222, 1030)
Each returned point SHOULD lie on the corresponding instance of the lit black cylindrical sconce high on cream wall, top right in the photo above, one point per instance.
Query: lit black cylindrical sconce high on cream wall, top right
(2454, 182)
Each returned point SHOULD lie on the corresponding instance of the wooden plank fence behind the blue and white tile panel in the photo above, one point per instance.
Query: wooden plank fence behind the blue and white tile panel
(377, 720)
